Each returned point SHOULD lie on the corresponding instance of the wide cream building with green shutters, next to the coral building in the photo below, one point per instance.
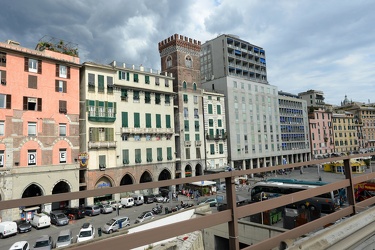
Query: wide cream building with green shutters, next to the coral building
(127, 128)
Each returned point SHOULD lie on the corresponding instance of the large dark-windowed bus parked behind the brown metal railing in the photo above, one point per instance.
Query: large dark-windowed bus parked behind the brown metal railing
(327, 202)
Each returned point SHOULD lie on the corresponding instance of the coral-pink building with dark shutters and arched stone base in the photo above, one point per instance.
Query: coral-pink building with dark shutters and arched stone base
(39, 120)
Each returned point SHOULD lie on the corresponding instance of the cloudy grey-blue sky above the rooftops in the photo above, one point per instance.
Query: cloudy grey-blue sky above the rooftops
(323, 45)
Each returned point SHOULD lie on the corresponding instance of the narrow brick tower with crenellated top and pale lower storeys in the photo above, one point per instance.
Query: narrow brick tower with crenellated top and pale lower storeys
(180, 56)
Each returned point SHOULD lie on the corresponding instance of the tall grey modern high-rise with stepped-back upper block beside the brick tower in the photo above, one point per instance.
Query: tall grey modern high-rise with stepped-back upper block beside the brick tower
(253, 126)
